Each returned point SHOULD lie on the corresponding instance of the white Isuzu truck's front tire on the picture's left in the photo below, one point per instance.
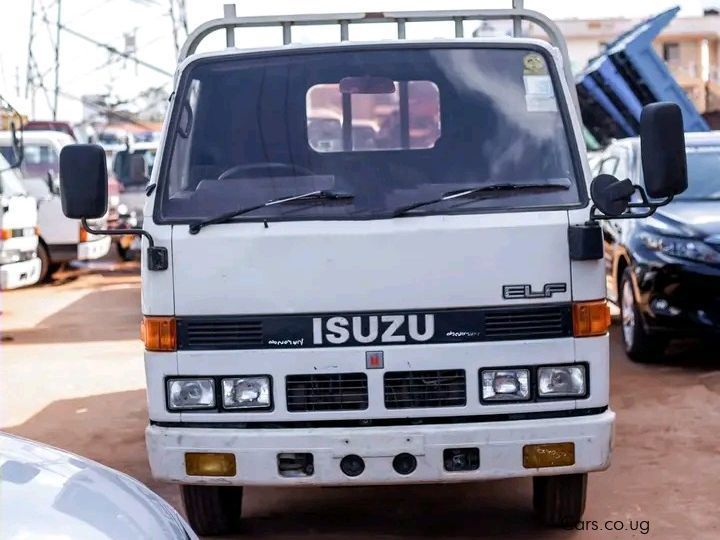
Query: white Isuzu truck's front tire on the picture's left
(213, 510)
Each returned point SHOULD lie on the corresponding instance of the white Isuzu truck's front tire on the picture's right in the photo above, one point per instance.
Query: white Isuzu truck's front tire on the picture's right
(559, 501)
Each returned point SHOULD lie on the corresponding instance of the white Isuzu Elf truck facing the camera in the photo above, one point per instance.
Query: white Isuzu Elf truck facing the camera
(377, 263)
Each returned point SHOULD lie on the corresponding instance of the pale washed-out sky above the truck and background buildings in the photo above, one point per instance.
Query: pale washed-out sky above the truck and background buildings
(88, 69)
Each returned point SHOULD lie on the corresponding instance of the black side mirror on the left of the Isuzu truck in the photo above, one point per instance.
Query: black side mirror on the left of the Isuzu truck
(83, 181)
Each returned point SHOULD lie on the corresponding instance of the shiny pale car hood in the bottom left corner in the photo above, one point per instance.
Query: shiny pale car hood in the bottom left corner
(48, 493)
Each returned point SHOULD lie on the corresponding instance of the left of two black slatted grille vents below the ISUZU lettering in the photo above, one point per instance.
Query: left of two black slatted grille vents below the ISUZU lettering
(326, 392)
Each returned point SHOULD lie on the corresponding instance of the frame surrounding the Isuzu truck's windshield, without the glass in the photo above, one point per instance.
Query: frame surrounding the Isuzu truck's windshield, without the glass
(564, 102)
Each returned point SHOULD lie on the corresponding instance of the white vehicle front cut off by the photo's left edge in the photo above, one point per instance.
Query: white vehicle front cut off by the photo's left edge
(19, 264)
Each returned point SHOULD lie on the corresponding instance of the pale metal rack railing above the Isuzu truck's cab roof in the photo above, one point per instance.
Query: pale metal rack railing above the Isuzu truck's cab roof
(344, 21)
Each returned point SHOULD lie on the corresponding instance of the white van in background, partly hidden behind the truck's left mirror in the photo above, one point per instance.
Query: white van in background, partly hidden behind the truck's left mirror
(61, 239)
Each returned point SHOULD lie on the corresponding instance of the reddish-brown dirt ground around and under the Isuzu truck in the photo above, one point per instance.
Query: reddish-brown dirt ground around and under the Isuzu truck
(71, 375)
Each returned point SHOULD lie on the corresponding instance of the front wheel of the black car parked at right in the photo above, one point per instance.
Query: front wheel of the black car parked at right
(640, 345)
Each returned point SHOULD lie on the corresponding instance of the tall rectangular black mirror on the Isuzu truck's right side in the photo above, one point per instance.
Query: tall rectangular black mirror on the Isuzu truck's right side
(662, 143)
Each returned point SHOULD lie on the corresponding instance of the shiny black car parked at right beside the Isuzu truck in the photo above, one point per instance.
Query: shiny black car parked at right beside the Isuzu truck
(665, 270)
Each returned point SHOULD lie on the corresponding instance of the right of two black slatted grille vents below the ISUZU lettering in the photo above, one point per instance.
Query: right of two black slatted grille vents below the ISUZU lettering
(420, 389)
